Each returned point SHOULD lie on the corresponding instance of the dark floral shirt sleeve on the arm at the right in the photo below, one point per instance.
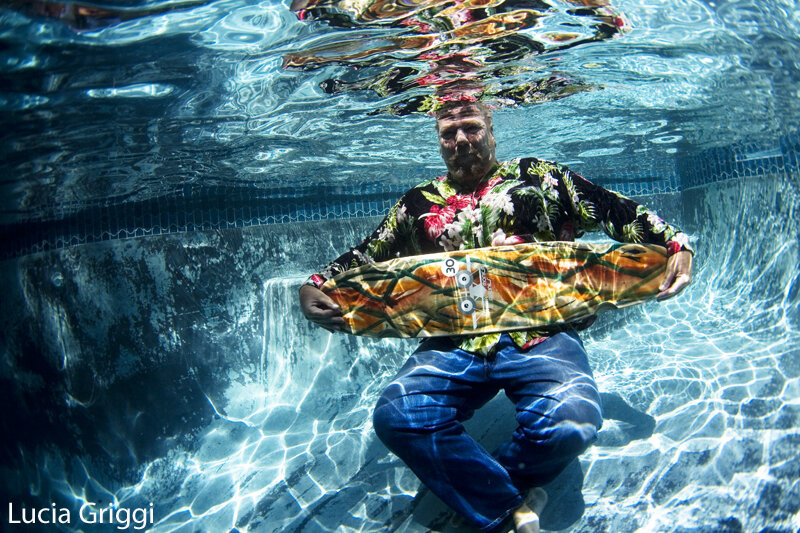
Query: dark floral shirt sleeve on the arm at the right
(619, 217)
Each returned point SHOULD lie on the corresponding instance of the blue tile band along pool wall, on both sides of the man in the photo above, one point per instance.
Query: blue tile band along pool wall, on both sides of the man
(198, 207)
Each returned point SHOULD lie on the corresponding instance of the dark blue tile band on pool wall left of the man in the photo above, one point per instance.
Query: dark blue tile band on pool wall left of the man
(195, 208)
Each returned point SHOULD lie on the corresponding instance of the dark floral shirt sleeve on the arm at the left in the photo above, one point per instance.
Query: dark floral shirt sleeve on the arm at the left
(390, 239)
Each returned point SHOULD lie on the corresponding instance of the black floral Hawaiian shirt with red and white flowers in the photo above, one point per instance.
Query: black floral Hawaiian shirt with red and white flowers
(522, 200)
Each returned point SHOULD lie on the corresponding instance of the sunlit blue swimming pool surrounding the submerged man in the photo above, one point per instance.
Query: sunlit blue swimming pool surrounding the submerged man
(168, 186)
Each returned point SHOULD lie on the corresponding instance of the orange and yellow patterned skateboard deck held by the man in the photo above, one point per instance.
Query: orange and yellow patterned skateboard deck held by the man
(487, 290)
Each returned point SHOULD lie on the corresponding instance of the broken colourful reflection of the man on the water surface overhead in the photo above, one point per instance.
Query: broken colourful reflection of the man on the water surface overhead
(442, 41)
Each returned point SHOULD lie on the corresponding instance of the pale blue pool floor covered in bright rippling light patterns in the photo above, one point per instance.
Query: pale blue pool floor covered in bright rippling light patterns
(724, 401)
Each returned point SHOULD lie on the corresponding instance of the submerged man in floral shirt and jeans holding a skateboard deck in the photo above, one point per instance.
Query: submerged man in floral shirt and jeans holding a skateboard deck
(545, 372)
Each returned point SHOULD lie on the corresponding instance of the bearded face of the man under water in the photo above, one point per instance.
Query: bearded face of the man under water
(466, 143)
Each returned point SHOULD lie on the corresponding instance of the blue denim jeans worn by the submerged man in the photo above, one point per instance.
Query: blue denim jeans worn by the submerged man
(419, 418)
